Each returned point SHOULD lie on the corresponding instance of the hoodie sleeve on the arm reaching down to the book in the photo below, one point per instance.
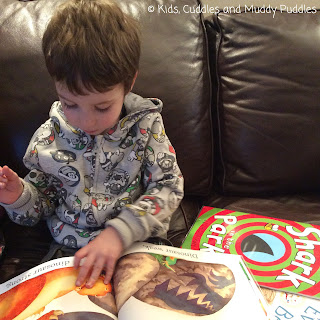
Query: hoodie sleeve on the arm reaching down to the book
(150, 214)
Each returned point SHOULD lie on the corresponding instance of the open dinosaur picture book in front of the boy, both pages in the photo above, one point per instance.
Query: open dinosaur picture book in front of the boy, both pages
(150, 282)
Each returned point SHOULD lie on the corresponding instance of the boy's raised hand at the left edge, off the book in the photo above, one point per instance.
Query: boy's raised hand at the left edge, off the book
(11, 187)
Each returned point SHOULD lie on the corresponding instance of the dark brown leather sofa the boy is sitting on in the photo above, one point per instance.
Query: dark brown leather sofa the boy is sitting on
(241, 97)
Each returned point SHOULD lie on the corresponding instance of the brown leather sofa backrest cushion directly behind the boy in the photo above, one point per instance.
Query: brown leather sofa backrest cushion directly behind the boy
(173, 67)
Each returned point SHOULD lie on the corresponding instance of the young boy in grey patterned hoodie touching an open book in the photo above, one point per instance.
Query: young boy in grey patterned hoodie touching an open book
(102, 171)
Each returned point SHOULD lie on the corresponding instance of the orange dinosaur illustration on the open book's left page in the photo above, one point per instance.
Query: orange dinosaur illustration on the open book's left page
(31, 297)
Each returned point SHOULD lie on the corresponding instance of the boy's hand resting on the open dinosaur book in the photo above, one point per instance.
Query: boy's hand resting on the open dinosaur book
(102, 253)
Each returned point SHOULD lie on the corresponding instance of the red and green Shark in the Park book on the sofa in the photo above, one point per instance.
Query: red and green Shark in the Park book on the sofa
(281, 254)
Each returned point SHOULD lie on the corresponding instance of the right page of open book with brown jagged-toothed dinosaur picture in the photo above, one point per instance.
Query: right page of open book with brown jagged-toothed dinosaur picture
(174, 283)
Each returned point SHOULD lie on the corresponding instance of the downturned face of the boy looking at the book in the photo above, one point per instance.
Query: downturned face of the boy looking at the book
(94, 112)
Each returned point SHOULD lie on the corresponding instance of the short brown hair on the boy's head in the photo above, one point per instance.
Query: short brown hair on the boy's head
(91, 44)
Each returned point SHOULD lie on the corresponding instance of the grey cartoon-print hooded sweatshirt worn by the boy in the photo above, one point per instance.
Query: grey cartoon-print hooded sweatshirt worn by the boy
(127, 178)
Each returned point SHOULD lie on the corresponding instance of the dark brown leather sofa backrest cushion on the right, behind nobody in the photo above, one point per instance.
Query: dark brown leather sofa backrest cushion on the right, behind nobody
(266, 83)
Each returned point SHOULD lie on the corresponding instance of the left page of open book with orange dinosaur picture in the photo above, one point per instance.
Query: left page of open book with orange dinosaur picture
(49, 290)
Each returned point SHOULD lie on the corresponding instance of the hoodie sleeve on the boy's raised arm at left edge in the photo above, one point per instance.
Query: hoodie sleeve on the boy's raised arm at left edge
(39, 193)
